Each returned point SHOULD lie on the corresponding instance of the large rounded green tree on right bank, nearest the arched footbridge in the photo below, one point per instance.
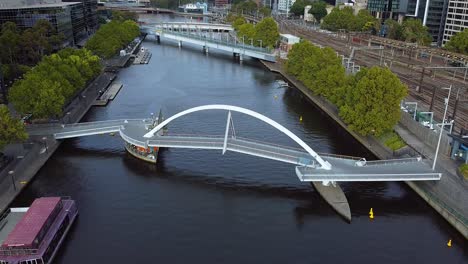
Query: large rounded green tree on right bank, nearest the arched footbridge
(372, 104)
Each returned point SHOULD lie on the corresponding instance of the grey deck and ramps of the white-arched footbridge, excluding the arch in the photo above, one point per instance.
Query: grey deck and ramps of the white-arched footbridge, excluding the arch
(343, 168)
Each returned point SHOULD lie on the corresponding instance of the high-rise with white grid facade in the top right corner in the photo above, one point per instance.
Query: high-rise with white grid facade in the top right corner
(457, 18)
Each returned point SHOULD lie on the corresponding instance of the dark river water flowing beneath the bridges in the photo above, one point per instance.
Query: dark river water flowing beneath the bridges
(198, 206)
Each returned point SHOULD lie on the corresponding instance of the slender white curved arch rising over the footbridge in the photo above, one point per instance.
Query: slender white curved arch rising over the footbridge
(324, 164)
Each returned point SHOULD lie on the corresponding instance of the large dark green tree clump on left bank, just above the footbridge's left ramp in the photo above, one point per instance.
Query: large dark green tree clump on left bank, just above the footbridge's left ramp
(53, 82)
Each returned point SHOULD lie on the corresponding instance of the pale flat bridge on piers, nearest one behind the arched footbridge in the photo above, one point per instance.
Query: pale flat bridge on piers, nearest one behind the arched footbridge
(207, 42)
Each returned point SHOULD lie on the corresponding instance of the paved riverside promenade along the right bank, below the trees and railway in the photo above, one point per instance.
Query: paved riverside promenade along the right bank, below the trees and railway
(447, 196)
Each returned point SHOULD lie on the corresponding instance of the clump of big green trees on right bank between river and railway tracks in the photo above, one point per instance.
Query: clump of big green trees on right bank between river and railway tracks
(368, 101)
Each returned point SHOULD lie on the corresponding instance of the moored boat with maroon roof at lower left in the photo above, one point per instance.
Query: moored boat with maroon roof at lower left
(33, 235)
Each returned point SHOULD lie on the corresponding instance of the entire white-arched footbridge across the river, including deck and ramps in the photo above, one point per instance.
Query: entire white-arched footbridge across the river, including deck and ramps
(310, 166)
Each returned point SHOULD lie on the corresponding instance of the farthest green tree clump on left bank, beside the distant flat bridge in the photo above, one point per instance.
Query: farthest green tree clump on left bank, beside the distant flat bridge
(112, 37)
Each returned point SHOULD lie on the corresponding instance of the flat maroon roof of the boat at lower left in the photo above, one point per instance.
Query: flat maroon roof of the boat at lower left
(32, 222)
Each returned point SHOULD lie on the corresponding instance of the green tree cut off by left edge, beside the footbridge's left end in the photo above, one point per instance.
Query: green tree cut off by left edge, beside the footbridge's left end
(11, 129)
